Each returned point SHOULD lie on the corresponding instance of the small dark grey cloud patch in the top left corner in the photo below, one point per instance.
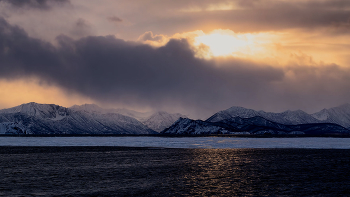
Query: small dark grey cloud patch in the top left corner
(39, 4)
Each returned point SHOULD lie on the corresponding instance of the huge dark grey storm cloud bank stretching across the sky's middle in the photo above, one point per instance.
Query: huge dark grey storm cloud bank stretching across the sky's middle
(115, 71)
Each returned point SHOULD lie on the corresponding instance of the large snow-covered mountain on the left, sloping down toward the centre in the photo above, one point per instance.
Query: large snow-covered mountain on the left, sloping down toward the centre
(34, 118)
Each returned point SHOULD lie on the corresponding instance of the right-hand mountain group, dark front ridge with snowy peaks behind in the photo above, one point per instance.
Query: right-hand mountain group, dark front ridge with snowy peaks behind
(239, 120)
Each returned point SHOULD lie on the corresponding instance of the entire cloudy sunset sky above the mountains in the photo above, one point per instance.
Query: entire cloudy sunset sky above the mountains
(194, 57)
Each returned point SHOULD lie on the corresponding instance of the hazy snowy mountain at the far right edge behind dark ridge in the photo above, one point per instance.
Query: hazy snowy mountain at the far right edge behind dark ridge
(338, 115)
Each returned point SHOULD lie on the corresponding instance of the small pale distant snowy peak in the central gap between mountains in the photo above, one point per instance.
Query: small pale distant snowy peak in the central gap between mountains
(161, 120)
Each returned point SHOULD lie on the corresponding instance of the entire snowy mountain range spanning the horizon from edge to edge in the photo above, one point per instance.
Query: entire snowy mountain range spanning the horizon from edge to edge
(34, 118)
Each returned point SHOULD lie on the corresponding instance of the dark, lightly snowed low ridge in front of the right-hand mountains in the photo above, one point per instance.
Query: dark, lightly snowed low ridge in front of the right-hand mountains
(254, 125)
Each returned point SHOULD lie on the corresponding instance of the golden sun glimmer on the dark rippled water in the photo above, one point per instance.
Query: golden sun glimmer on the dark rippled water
(219, 171)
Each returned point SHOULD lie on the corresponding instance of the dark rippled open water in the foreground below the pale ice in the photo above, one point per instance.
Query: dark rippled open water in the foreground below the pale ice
(117, 171)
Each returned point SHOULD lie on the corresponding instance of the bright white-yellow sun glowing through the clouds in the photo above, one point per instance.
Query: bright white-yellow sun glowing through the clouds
(223, 43)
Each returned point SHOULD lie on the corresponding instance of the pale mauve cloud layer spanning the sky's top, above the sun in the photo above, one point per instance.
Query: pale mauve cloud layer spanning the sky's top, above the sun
(168, 18)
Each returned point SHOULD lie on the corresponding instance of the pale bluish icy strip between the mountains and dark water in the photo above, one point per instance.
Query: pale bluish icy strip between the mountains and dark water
(182, 142)
